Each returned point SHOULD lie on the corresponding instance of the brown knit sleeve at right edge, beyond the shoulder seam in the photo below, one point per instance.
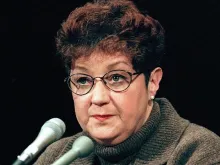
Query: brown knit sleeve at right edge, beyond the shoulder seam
(198, 145)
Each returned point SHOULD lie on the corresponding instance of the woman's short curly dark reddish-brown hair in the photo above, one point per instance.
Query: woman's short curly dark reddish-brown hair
(112, 26)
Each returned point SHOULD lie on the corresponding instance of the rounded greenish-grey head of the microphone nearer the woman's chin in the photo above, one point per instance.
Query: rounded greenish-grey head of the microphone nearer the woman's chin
(83, 145)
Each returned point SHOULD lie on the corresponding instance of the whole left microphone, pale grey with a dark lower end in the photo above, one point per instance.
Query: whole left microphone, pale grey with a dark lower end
(51, 131)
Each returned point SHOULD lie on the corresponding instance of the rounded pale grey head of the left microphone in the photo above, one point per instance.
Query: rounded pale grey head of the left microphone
(57, 125)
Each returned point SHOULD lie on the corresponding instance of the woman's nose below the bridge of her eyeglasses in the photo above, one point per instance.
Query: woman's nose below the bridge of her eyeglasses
(100, 93)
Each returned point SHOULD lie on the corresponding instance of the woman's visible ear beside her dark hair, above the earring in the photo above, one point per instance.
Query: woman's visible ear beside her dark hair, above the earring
(154, 81)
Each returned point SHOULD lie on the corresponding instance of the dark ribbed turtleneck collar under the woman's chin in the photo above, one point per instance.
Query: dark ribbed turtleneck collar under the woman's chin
(127, 149)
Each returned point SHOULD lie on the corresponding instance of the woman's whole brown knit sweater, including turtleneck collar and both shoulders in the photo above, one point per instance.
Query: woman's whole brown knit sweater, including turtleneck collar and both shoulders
(165, 138)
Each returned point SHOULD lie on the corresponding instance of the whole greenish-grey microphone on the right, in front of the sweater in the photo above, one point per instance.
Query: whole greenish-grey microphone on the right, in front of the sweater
(81, 147)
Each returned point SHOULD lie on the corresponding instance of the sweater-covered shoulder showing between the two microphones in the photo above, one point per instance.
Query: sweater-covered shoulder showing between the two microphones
(56, 149)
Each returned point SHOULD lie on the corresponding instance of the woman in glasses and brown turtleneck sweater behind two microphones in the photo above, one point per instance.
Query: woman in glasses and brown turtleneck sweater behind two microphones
(112, 53)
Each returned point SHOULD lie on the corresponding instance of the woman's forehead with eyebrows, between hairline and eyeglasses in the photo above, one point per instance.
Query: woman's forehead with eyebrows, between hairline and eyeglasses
(102, 62)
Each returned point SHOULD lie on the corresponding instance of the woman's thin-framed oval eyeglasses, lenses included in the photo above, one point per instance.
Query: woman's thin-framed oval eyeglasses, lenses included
(115, 80)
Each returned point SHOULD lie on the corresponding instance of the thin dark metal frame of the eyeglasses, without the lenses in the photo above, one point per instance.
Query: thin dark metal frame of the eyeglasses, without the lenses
(68, 79)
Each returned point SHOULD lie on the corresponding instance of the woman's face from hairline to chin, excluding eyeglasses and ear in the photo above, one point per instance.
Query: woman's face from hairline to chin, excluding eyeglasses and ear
(110, 117)
